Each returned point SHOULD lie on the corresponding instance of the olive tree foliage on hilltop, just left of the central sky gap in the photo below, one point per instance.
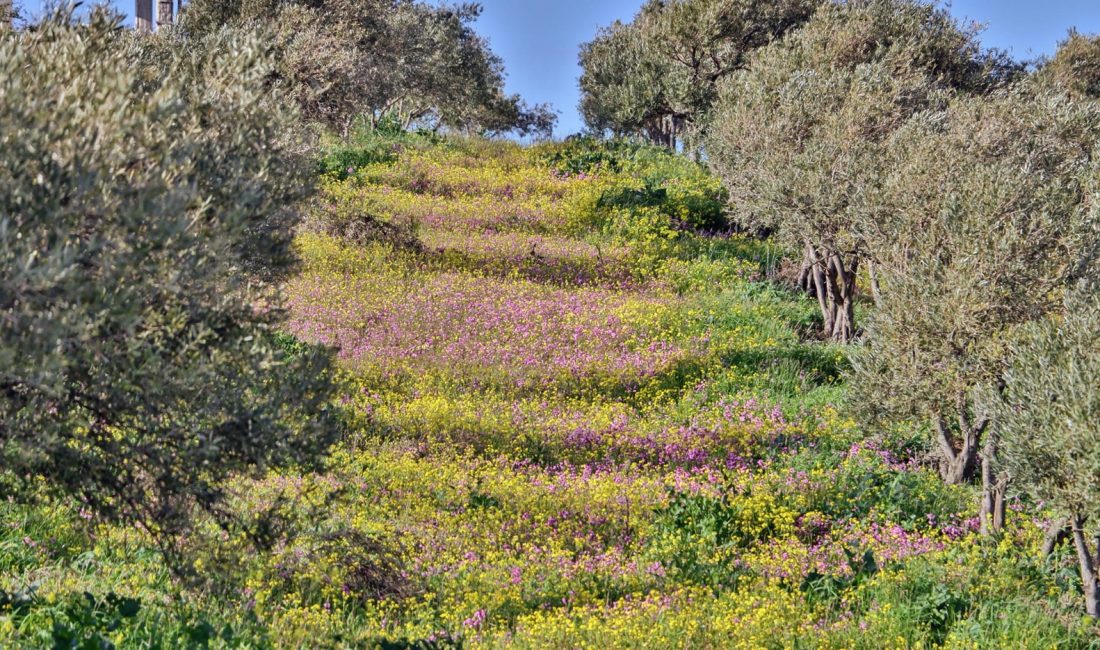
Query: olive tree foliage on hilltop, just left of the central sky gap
(406, 61)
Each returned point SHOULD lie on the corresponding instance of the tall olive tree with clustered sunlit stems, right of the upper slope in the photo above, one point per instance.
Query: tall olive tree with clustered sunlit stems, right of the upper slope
(800, 136)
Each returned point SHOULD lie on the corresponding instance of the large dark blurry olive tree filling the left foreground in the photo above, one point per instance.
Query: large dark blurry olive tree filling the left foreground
(140, 361)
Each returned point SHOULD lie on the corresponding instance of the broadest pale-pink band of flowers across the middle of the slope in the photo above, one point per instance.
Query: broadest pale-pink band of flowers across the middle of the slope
(532, 335)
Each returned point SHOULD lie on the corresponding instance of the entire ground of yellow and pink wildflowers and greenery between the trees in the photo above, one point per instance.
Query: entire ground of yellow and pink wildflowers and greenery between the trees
(579, 415)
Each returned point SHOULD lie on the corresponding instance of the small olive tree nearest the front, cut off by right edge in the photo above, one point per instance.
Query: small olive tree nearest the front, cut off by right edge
(1050, 416)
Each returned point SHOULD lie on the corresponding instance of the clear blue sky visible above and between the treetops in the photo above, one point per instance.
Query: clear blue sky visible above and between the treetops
(540, 39)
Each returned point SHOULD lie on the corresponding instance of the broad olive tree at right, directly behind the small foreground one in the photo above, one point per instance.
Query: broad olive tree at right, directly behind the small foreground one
(986, 222)
